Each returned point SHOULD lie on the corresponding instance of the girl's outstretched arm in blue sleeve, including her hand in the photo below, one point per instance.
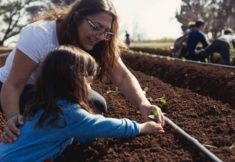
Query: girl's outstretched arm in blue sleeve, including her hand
(87, 127)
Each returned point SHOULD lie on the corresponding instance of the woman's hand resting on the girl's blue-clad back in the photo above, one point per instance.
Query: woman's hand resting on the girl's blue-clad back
(11, 132)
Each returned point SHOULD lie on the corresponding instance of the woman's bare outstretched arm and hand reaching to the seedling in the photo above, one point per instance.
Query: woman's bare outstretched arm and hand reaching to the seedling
(130, 87)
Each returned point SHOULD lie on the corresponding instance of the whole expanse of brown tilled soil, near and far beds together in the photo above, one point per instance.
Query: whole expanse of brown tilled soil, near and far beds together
(199, 98)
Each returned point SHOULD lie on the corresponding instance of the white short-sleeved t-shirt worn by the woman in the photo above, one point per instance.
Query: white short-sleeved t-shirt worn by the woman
(36, 41)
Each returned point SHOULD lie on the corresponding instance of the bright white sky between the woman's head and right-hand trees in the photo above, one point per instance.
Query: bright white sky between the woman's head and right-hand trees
(152, 19)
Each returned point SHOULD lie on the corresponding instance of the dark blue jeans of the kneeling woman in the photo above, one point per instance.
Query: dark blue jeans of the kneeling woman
(97, 101)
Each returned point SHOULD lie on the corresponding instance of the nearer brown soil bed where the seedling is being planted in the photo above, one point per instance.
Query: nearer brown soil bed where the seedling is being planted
(209, 121)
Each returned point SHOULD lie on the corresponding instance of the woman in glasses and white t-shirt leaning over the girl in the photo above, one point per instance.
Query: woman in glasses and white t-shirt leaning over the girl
(88, 24)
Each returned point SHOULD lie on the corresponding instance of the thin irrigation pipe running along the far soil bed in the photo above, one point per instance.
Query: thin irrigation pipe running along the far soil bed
(183, 60)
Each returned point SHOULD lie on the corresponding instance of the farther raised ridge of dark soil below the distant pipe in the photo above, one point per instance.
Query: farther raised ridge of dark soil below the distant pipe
(216, 82)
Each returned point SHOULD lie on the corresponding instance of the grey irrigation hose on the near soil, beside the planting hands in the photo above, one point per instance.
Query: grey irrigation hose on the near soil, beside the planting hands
(194, 141)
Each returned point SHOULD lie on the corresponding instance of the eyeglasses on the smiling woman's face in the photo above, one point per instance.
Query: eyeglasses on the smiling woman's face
(98, 30)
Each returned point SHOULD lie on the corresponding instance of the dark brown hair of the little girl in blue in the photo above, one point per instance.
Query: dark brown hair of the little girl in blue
(63, 76)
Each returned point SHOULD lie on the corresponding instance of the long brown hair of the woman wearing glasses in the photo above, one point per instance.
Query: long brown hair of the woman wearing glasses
(105, 52)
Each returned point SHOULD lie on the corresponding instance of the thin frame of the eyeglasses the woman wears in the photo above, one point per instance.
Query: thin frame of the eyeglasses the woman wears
(97, 30)
